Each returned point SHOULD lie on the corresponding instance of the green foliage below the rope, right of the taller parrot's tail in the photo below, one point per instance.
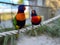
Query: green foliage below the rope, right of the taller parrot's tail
(52, 29)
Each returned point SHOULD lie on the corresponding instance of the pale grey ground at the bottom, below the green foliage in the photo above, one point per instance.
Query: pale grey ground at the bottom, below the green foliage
(39, 40)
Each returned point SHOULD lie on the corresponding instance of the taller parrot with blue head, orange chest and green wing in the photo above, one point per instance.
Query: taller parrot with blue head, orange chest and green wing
(19, 19)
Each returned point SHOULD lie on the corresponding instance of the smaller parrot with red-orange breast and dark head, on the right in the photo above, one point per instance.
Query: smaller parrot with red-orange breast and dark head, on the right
(35, 19)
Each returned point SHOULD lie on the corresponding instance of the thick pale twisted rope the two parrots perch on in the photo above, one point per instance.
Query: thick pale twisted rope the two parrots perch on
(27, 28)
